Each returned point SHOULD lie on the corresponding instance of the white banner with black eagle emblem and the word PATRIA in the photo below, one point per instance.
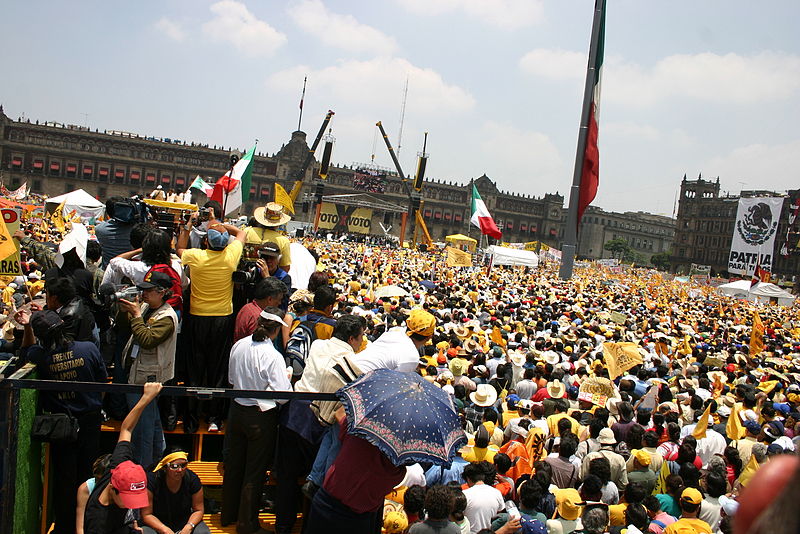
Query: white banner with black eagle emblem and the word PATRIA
(754, 235)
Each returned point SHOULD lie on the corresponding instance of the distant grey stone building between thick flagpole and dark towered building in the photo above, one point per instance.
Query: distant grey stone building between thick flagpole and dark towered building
(647, 234)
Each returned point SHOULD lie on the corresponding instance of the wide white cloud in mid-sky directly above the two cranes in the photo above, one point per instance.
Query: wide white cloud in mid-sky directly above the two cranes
(370, 85)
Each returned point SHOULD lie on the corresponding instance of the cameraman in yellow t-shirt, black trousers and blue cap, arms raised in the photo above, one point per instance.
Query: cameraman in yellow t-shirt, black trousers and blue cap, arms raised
(210, 326)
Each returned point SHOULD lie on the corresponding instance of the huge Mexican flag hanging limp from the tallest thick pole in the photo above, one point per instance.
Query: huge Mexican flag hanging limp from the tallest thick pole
(590, 175)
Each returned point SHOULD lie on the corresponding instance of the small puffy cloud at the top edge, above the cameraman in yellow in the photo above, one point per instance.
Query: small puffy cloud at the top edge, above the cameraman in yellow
(236, 24)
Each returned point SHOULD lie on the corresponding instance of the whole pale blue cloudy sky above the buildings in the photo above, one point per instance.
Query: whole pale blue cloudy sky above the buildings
(688, 87)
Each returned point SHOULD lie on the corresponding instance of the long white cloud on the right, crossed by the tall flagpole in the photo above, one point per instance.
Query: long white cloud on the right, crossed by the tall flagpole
(730, 78)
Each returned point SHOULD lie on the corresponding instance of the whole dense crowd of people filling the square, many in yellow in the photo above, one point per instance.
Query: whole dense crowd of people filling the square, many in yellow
(564, 433)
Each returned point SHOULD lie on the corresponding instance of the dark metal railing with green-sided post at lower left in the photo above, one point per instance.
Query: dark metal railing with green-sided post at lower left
(21, 462)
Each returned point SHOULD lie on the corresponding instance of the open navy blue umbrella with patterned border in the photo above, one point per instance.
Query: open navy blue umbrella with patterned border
(406, 417)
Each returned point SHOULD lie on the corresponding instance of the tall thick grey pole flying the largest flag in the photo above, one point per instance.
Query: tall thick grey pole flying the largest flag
(571, 233)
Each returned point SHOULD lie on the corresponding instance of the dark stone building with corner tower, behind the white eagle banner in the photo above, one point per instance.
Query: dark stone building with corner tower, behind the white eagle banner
(705, 226)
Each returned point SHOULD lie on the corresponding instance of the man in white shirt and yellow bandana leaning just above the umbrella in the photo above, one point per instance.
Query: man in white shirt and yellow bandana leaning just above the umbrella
(398, 349)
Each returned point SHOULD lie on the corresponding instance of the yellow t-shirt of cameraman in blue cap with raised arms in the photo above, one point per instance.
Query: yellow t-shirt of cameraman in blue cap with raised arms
(212, 287)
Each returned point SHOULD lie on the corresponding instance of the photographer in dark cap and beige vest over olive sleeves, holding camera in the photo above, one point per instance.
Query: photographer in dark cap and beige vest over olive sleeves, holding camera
(151, 348)
